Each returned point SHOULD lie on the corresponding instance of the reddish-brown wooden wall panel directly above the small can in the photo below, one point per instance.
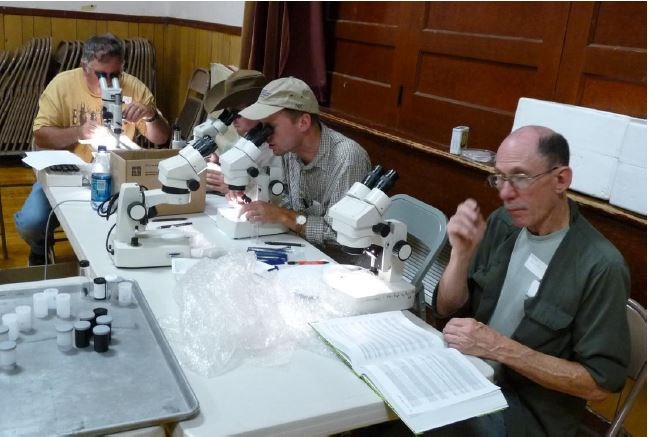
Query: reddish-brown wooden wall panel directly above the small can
(469, 63)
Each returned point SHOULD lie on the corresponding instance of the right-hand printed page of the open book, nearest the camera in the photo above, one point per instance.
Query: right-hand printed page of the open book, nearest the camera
(427, 380)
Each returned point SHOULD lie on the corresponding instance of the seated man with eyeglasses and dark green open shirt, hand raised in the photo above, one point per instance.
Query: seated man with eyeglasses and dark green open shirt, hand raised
(537, 291)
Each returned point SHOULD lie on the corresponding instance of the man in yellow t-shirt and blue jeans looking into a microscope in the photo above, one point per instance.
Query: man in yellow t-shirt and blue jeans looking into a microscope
(70, 111)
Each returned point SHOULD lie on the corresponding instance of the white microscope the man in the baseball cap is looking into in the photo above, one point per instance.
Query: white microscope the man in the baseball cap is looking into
(252, 176)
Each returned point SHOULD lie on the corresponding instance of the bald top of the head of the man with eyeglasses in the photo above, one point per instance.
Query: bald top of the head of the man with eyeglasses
(548, 144)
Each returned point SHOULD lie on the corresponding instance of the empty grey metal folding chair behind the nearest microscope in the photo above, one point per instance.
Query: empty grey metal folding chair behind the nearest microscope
(427, 237)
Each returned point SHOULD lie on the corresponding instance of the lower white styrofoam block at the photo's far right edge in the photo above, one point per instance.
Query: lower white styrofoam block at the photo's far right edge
(630, 188)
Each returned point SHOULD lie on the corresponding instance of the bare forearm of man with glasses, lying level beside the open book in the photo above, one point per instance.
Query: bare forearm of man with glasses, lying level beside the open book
(550, 372)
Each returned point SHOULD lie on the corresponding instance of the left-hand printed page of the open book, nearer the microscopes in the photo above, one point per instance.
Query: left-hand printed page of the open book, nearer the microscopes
(373, 336)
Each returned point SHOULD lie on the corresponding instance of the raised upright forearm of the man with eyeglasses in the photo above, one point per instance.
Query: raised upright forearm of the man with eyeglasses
(452, 291)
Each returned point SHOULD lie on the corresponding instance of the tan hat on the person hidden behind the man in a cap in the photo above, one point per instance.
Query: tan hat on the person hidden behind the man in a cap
(239, 89)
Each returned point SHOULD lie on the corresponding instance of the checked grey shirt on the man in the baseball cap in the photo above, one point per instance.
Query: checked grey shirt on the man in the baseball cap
(312, 189)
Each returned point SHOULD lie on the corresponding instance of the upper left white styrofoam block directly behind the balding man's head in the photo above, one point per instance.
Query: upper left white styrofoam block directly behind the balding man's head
(584, 128)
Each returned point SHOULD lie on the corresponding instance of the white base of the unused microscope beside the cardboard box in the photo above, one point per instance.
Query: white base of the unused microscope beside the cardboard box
(152, 252)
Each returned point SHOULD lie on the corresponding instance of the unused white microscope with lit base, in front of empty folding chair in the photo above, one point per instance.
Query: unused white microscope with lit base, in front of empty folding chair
(358, 220)
